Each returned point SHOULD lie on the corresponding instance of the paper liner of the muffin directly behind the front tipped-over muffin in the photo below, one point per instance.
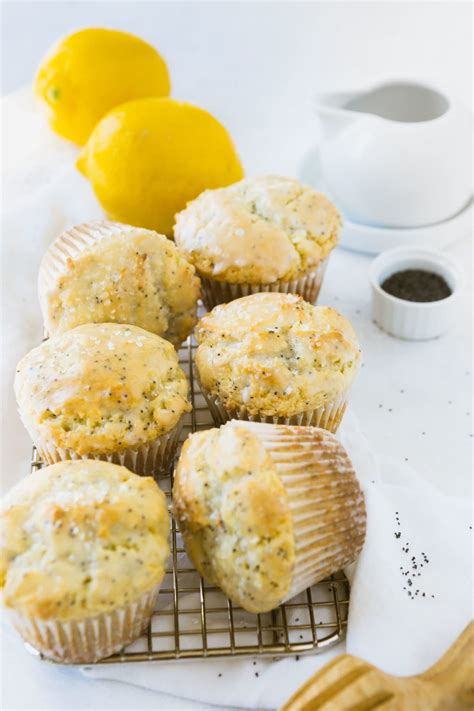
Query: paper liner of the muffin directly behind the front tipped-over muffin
(327, 417)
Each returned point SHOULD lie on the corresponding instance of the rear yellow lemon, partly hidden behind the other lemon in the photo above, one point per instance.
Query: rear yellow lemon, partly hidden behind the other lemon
(89, 72)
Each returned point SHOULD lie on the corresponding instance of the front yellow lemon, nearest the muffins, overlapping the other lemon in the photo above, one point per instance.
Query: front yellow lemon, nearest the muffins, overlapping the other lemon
(147, 158)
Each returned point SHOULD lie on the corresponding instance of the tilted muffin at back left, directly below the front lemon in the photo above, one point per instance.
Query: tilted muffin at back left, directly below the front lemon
(105, 272)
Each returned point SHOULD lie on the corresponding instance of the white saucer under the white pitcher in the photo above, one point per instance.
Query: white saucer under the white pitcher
(373, 240)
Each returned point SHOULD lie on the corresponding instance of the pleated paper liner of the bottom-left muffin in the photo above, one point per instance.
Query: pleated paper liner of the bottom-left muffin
(88, 640)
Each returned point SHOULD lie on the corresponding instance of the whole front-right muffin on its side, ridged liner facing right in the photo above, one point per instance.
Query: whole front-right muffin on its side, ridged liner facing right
(266, 511)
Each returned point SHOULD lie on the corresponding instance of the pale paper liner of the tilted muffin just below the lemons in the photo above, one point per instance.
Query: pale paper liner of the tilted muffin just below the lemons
(70, 245)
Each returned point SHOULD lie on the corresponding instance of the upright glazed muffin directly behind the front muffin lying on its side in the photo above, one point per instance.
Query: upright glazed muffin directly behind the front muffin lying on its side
(276, 358)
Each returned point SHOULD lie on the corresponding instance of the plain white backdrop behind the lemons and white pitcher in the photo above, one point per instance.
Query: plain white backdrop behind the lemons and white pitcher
(257, 65)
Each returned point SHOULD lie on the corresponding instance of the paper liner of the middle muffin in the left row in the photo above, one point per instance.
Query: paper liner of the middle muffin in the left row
(152, 459)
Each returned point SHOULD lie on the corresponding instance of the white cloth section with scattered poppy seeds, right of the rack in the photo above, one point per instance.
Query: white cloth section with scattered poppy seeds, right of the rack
(411, 595)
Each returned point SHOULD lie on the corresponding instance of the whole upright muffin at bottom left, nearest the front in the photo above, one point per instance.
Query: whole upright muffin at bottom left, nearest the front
(83, 553)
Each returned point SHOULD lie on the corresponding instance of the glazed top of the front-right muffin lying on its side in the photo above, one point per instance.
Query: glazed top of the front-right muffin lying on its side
(234, 514)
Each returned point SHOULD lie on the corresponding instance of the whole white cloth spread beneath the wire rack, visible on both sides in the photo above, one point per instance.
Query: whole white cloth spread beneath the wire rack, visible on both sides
(386, 626)
